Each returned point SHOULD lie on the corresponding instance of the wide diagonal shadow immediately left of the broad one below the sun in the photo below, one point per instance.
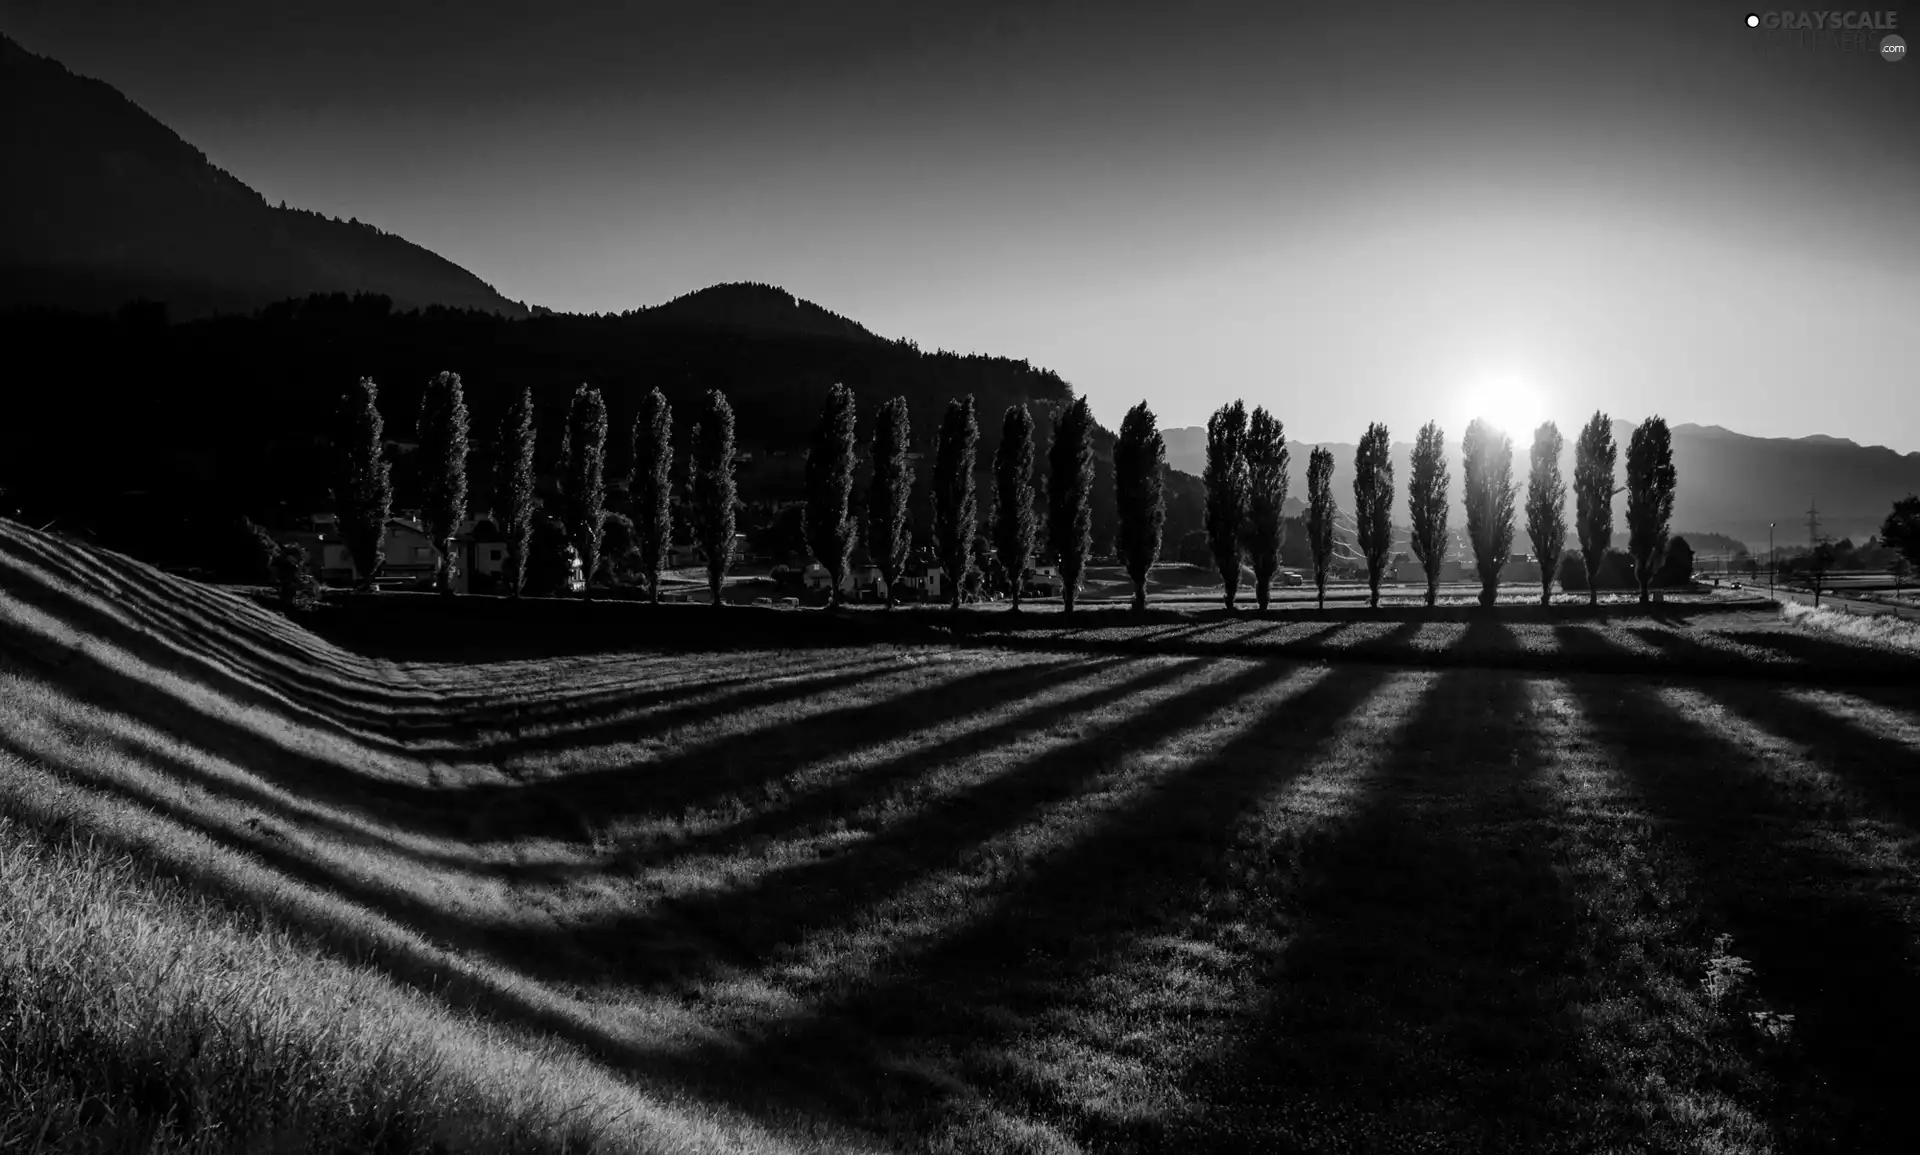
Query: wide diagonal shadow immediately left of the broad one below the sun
(1065, 914)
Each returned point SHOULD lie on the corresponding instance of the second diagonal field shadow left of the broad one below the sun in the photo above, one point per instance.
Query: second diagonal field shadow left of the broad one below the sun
(748, 926)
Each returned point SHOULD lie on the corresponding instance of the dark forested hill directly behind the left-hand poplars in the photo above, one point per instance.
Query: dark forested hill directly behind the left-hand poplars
(235, 412)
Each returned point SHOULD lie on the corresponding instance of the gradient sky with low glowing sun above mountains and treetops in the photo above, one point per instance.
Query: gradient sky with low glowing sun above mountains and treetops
(1341, 212)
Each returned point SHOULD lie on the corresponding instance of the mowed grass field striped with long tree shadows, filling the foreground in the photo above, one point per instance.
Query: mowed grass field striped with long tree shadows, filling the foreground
(1456, 882)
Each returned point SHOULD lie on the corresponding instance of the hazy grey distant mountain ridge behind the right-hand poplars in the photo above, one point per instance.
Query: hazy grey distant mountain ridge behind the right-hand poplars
(1729, 483)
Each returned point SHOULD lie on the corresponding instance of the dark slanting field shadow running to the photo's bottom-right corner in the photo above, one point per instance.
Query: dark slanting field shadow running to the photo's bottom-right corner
(1825, 945)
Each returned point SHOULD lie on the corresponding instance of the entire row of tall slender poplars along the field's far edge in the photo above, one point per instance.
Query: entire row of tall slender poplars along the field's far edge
(1245, 481)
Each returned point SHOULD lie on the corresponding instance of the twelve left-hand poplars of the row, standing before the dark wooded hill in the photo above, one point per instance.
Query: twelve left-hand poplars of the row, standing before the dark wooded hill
(364, 488)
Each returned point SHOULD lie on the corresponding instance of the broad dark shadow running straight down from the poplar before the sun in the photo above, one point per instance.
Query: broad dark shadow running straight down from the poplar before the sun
(1435, 956)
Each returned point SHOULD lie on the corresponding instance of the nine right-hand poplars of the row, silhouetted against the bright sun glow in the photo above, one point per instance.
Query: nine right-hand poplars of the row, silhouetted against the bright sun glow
(1247, 486)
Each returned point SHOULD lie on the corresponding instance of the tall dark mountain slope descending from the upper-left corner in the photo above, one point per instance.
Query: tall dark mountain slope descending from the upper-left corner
(105, 204)
